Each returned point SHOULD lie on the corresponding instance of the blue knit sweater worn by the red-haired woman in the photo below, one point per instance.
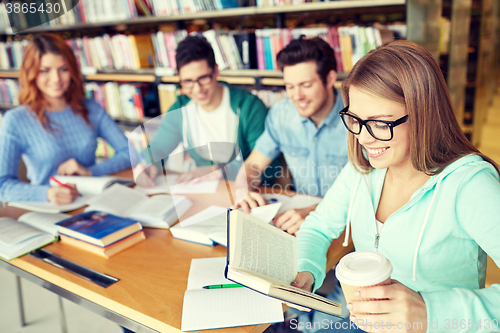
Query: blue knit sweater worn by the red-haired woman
(21, 134)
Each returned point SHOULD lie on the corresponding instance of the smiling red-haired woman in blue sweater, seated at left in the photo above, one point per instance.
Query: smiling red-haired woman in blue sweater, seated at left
(55, 129)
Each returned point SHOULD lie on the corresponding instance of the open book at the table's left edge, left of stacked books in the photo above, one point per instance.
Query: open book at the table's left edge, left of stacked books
(29, 232)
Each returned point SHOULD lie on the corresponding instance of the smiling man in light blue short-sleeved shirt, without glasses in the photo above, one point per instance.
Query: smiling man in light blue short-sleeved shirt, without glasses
(304, 126)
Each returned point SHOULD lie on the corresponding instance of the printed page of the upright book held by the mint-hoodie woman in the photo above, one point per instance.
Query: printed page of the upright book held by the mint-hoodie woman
(261, 248)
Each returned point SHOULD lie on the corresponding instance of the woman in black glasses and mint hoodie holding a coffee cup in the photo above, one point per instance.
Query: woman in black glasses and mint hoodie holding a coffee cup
(415, 190)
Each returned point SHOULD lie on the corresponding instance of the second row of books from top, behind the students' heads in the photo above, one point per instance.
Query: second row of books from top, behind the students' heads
(233, 50)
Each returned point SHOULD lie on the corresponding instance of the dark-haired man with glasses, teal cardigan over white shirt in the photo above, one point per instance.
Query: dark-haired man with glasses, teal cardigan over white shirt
(211, 118)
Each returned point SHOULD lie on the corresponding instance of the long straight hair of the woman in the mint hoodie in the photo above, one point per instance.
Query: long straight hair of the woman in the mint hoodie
(406, 73)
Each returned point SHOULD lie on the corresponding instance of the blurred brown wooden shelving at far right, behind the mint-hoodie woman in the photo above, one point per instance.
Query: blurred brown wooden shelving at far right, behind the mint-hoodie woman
(472, 68)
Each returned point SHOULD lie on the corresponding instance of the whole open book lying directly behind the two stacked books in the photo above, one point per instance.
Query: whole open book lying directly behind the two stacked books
(159, 211)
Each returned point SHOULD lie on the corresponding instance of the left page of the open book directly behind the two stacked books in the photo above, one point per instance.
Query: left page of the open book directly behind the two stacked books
(117, 199)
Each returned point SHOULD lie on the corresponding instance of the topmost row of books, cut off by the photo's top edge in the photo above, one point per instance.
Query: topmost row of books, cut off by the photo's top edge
(95, 11)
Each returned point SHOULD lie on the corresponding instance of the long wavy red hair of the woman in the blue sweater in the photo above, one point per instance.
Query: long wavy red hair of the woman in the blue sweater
(31, 96)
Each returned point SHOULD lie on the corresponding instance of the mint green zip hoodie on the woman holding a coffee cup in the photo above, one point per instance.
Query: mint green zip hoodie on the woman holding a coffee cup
(437, 242)
